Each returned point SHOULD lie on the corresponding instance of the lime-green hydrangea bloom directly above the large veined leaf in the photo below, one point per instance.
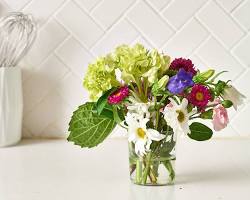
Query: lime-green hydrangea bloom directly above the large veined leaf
(100, 77)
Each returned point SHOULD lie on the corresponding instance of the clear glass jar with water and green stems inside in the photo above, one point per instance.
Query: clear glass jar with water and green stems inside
(157, 167)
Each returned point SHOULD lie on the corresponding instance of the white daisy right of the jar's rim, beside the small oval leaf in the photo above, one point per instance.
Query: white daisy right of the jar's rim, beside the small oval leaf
(177, 116)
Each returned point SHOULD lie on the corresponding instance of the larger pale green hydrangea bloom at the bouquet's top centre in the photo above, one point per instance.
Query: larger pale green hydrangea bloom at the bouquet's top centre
(136, 62)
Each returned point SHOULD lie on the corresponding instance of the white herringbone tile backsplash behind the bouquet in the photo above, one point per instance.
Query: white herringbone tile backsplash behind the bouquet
(213, 33)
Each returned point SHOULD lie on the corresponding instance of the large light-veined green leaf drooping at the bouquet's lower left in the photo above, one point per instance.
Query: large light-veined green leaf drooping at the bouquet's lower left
(87, 128)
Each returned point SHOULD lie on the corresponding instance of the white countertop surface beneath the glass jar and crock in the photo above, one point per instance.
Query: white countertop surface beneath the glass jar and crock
(58, 170)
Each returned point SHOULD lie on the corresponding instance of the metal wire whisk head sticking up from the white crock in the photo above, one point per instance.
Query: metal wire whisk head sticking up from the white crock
(17, 34)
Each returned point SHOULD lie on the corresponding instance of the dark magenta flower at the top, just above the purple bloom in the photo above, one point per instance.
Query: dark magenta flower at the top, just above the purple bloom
(182, 63)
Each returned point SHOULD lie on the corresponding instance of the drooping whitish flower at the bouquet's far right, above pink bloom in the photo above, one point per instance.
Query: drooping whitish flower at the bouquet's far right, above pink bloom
(232, 94)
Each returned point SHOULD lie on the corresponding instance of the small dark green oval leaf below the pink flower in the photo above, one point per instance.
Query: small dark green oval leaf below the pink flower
(200, 132)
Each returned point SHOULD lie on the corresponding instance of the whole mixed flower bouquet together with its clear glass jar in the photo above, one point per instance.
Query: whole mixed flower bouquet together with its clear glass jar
(155, 100)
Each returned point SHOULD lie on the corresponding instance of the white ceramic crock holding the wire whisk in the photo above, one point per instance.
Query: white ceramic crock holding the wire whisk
(11, 106)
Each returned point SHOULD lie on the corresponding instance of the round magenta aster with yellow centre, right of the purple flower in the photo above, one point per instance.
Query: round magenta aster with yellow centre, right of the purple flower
(199, 96)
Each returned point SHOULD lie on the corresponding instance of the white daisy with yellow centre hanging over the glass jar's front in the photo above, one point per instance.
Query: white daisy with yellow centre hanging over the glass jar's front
(140, 135)
